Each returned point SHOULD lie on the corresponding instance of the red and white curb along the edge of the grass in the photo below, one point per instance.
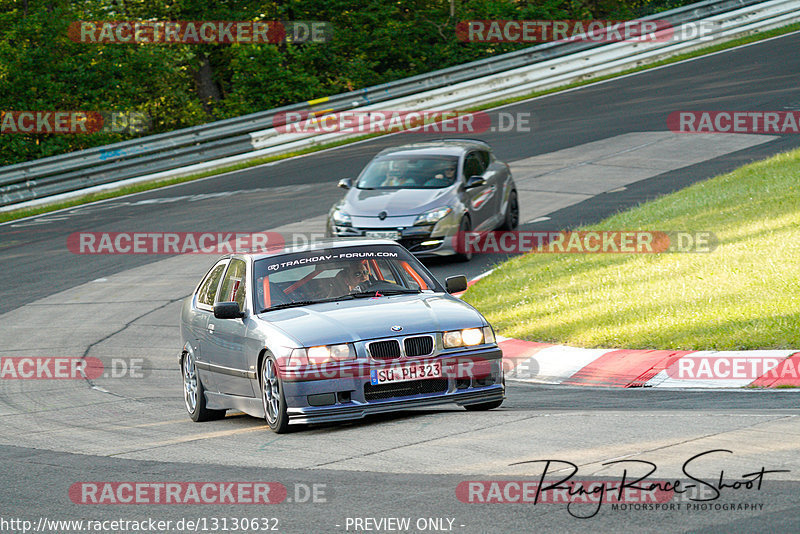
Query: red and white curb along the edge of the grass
(544, 363)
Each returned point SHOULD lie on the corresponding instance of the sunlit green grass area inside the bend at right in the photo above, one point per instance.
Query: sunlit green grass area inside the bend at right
(743, 295)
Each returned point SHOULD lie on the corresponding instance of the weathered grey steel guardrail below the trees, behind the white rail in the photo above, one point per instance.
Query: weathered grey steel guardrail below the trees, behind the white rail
(173, 152)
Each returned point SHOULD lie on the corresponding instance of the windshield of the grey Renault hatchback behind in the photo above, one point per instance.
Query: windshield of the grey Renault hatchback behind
(429, 172)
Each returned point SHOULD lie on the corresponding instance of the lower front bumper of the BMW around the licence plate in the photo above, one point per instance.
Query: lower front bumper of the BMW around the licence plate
(471, 377)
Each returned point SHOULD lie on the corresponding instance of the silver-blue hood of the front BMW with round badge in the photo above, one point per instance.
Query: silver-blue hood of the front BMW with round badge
(363, 319)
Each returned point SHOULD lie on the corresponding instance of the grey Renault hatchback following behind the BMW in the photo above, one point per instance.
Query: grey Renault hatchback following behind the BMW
(421, 195)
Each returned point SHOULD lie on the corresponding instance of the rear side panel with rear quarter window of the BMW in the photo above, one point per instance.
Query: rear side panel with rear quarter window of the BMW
(202, 311)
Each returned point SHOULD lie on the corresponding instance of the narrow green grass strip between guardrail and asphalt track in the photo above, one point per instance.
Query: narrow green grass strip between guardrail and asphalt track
(113, 193)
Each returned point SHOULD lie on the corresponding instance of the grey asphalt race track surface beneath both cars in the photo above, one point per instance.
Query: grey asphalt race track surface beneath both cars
(133, 427)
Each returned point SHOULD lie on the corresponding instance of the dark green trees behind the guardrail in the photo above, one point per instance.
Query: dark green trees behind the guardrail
(180, 85)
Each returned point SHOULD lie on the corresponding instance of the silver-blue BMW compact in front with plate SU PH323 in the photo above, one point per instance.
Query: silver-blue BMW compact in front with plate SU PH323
(332, 331)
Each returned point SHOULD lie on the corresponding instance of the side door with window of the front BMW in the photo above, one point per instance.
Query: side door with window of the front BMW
(228, 336)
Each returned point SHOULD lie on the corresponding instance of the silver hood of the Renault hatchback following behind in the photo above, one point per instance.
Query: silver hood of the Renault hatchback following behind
(395, 202)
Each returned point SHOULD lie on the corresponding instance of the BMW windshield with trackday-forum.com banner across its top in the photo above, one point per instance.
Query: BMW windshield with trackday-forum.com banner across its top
(337, 274)
